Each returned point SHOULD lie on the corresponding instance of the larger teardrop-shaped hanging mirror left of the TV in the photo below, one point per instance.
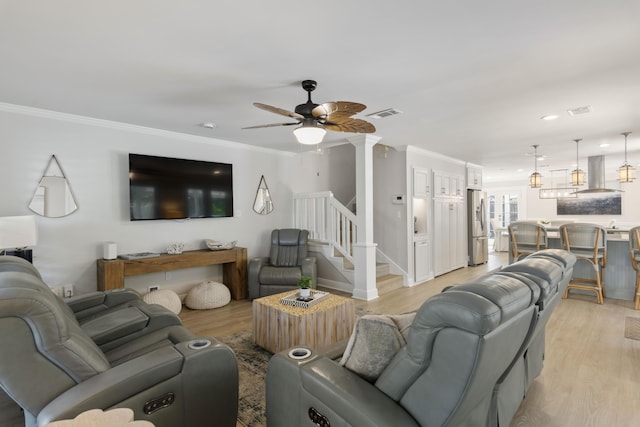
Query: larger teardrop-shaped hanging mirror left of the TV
(53, 197)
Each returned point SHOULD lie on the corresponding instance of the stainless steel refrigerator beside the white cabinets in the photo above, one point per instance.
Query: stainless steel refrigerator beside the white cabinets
(478, 227)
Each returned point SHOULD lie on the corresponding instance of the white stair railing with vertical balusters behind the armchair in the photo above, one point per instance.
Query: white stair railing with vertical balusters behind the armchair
(327, 220)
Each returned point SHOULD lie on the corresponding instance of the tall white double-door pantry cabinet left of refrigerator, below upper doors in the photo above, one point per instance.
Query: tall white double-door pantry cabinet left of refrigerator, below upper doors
(448, 235)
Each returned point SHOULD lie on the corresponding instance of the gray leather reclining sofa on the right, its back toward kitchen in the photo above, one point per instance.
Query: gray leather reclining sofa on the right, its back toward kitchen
(471, 353)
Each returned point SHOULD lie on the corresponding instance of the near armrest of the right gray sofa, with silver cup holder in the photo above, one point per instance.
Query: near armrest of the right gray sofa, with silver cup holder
(317, 386)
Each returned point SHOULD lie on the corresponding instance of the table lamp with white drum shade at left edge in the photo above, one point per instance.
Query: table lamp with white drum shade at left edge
(16, 233)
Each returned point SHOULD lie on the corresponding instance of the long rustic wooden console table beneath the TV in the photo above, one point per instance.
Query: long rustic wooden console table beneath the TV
(111, 273)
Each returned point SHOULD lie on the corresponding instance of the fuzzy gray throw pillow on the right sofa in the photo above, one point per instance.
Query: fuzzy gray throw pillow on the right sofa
(374, 342)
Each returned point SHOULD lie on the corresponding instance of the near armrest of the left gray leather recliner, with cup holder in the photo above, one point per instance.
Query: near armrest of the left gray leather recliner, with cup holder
(202, 374)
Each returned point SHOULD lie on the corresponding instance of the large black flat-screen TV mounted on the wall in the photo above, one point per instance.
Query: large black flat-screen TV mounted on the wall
(168, 188)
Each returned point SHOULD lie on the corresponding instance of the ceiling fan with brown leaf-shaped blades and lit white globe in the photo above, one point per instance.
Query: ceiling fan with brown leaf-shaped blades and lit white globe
(316, 119)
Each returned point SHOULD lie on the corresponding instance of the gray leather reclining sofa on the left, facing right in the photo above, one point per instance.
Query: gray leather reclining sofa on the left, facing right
(53, 369)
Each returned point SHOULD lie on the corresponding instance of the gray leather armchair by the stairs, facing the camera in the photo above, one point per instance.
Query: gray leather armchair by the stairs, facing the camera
(288, 260)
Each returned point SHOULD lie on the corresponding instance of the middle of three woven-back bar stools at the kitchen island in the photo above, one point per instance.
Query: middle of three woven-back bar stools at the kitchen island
(588, 242)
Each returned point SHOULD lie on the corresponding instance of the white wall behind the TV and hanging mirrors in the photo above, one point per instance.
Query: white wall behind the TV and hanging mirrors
(94, 157)
